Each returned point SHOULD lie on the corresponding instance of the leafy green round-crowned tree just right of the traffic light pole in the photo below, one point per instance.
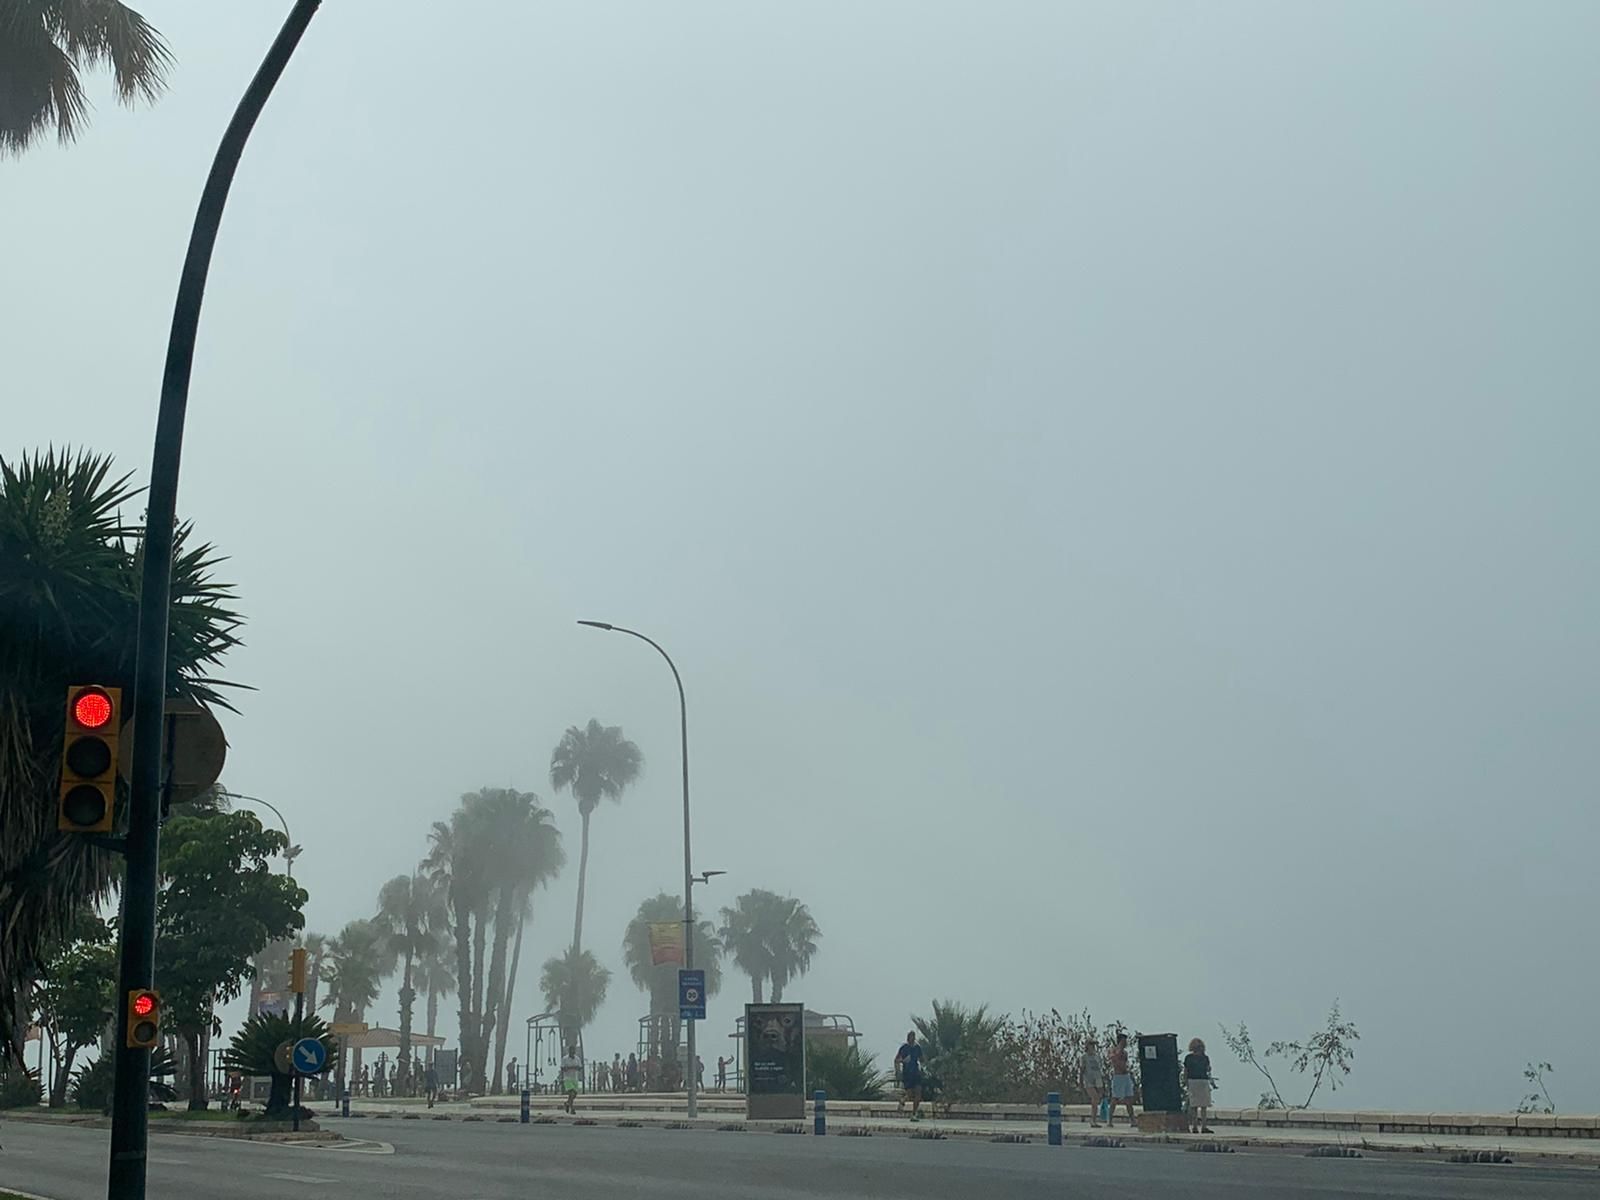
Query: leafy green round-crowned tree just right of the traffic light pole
(218, 906)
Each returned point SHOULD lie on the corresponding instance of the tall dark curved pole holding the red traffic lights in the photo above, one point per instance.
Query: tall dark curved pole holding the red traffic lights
(132, 1089)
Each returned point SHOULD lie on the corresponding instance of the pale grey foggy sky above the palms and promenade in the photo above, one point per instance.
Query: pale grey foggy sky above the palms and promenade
(1118, 479)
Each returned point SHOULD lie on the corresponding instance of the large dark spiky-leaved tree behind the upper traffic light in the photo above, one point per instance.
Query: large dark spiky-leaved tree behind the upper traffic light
(70, 580)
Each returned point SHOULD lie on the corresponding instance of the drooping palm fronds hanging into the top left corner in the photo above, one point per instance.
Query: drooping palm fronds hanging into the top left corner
(47, 44)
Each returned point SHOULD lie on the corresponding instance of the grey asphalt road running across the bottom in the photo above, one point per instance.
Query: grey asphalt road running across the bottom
(498, 1162)
